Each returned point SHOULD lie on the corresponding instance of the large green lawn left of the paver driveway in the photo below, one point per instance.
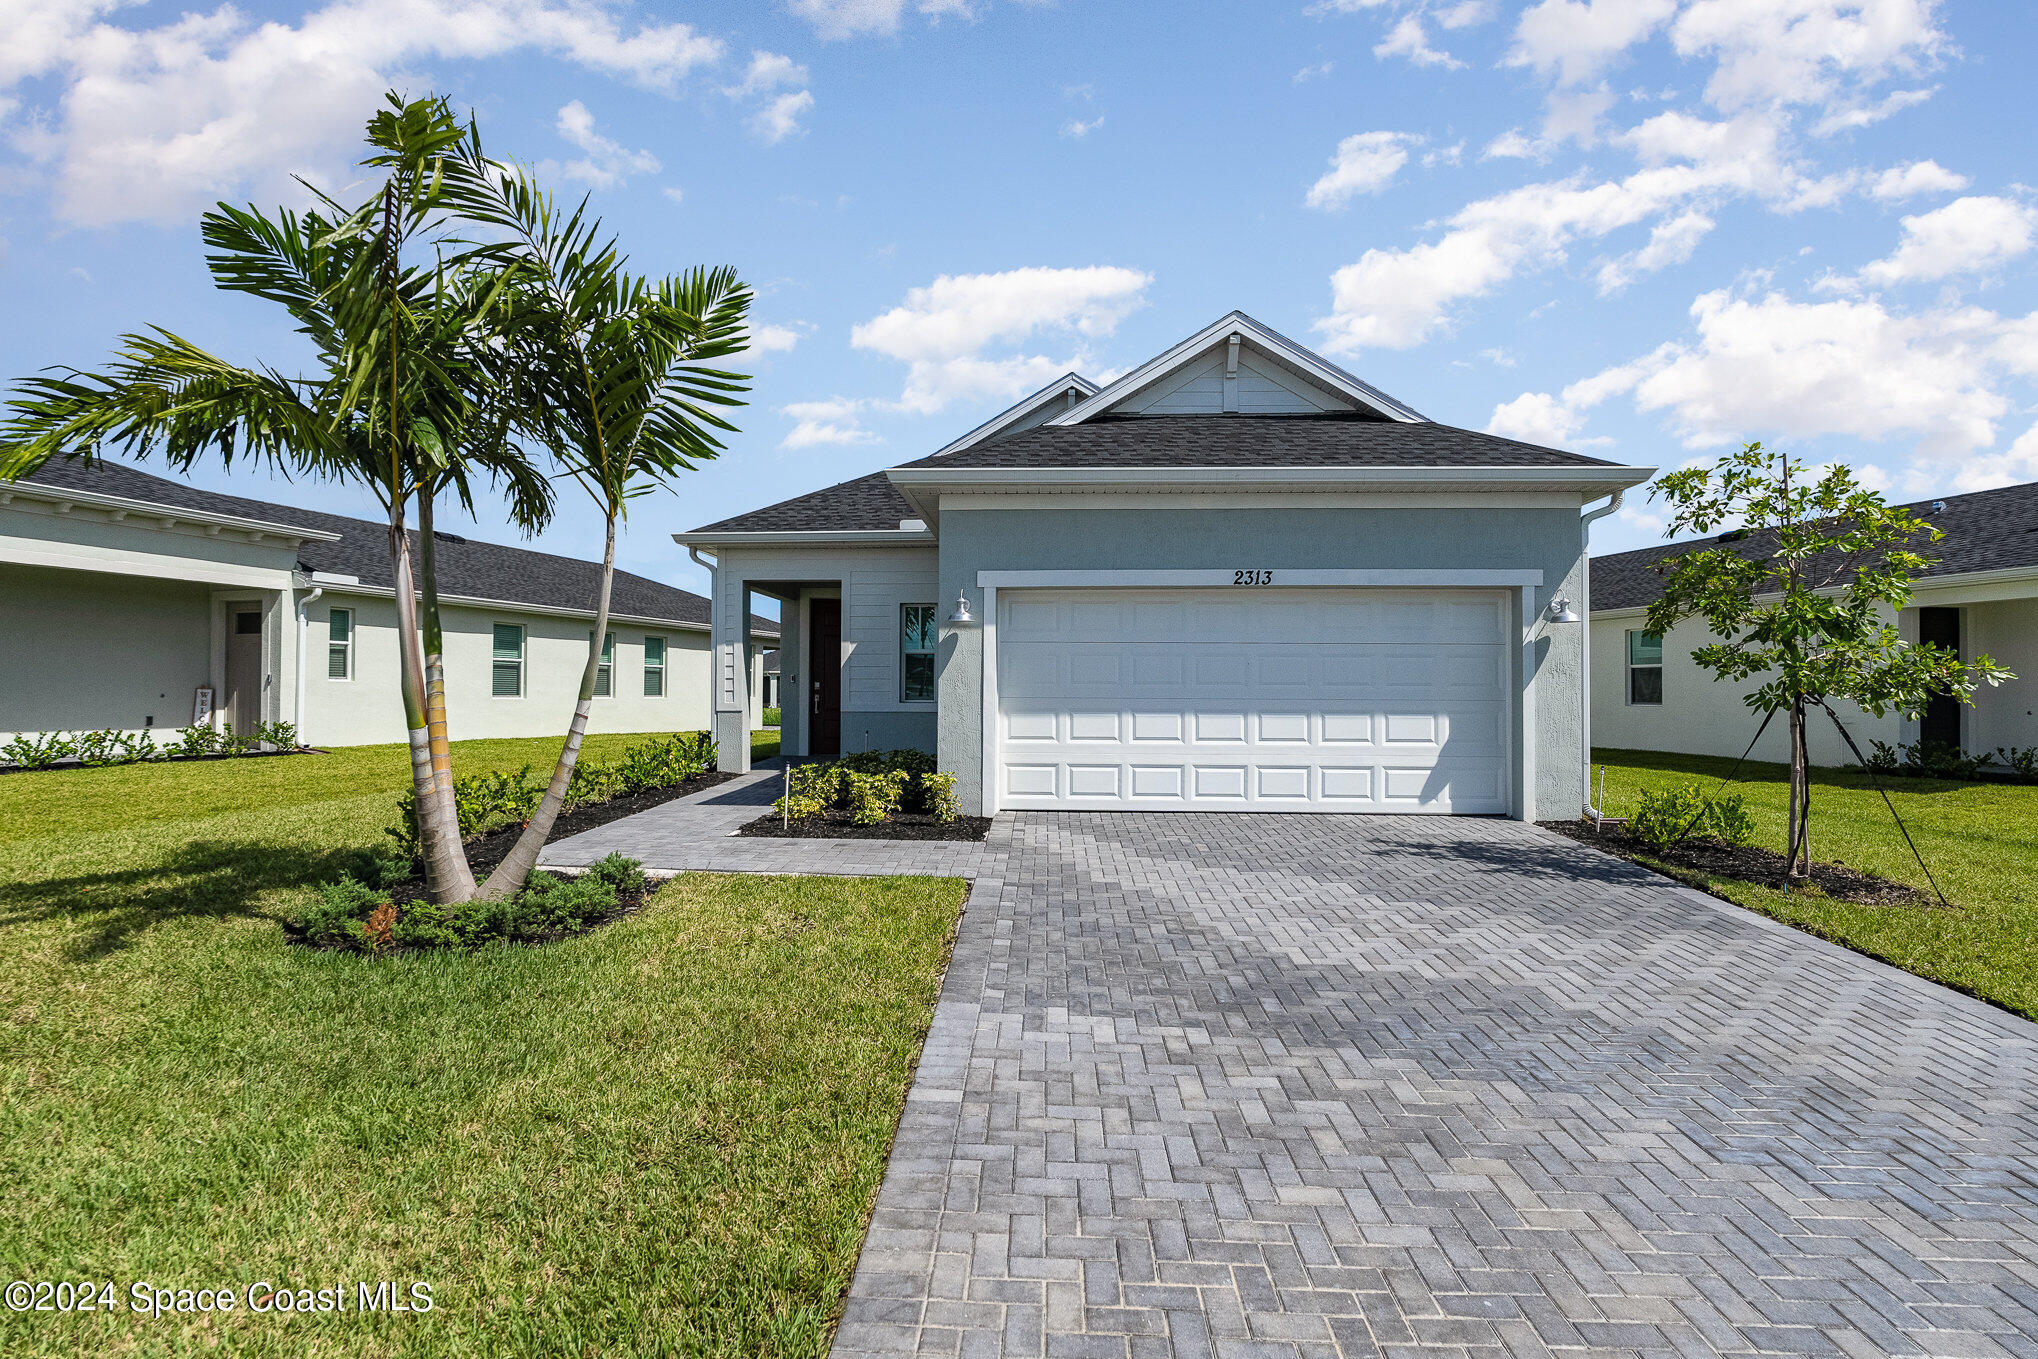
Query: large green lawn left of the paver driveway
(661, 1138)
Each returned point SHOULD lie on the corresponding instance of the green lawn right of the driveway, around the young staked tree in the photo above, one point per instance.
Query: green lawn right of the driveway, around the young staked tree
(1982, 842)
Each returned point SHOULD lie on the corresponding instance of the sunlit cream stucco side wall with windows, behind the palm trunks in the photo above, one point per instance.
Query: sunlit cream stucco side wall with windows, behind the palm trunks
(368, 708)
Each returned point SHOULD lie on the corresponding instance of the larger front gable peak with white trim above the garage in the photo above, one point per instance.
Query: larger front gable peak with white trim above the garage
(1281, 378)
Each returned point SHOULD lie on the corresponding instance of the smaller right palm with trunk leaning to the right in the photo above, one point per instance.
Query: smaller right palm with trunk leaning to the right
(610, 374)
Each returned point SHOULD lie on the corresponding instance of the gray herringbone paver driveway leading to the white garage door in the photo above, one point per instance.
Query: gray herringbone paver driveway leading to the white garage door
(1366, 1085)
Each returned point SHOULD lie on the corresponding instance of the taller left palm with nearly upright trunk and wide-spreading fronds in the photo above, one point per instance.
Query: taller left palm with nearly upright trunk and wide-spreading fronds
(400, 398)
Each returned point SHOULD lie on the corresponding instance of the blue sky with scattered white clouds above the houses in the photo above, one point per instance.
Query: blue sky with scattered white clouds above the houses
(1640, 229)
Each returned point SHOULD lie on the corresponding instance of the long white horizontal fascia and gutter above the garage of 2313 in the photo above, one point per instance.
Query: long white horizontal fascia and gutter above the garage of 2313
(1273, 478)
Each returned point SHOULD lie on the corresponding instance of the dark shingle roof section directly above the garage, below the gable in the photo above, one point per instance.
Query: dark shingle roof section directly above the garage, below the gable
(1254, 441)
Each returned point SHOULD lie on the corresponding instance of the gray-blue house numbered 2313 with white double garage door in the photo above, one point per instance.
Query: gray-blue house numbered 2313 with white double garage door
(1236, 580)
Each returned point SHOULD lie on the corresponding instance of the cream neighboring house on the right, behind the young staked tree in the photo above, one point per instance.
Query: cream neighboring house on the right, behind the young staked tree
(1980, 598)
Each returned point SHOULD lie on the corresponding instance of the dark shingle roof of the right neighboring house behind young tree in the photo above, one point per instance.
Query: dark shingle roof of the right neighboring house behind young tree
(1986, 531)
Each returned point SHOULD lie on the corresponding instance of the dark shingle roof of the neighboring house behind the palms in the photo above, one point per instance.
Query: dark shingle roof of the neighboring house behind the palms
(466, 567)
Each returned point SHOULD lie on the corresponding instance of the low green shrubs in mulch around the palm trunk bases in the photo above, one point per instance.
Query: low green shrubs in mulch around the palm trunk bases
(362, 916)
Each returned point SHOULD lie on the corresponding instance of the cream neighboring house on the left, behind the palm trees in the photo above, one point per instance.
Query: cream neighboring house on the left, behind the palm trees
(123, 596)
